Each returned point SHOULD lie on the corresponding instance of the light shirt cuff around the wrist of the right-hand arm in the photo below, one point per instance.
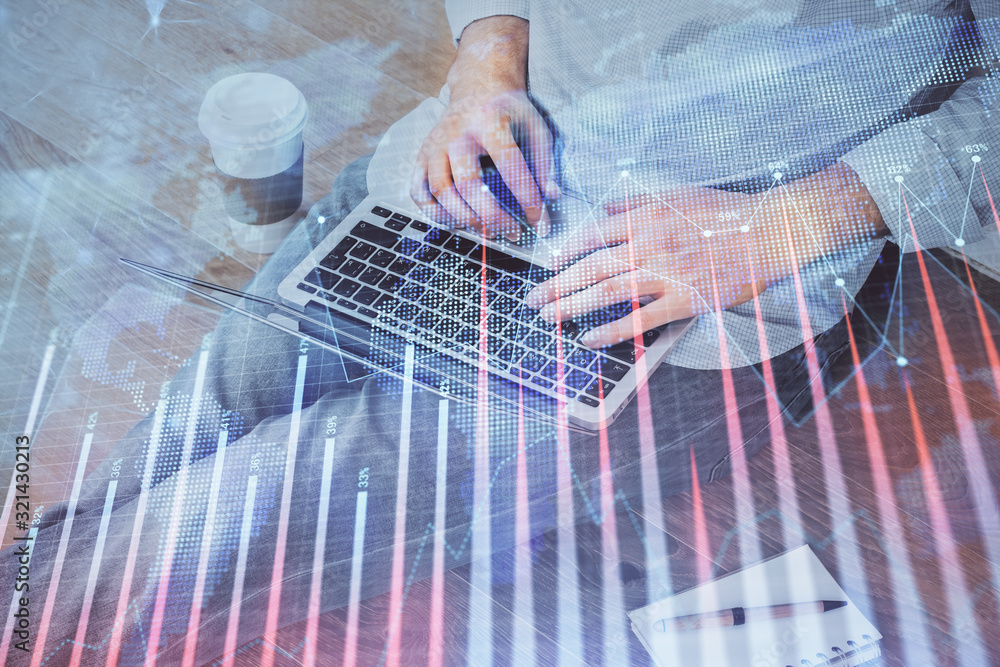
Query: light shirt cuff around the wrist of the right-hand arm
(910, 178)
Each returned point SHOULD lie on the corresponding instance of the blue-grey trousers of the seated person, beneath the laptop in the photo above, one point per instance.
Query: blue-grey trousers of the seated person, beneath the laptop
(245, 386)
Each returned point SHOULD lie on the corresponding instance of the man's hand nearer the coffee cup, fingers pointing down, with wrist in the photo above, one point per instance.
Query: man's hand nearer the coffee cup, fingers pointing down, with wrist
(489, 107)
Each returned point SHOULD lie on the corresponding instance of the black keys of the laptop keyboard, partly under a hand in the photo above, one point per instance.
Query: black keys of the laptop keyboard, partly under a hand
(439, 288)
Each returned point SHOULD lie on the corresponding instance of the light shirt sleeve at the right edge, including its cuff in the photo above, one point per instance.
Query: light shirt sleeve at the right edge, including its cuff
(936, 170)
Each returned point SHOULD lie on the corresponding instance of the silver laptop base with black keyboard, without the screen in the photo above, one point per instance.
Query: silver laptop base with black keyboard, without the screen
(401, 277)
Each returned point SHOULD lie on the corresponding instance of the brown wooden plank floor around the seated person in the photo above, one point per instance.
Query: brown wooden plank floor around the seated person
(100, 157)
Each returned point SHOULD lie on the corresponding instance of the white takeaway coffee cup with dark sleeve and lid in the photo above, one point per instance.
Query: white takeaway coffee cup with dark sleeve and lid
(254, 122)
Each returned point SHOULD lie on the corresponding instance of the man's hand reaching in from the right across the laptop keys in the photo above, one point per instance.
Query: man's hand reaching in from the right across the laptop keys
(692, 250)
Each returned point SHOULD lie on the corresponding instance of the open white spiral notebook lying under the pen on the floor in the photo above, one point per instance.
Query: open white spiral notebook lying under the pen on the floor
(841, 637)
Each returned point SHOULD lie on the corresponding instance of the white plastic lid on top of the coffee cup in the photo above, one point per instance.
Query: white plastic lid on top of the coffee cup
(253, 107)
